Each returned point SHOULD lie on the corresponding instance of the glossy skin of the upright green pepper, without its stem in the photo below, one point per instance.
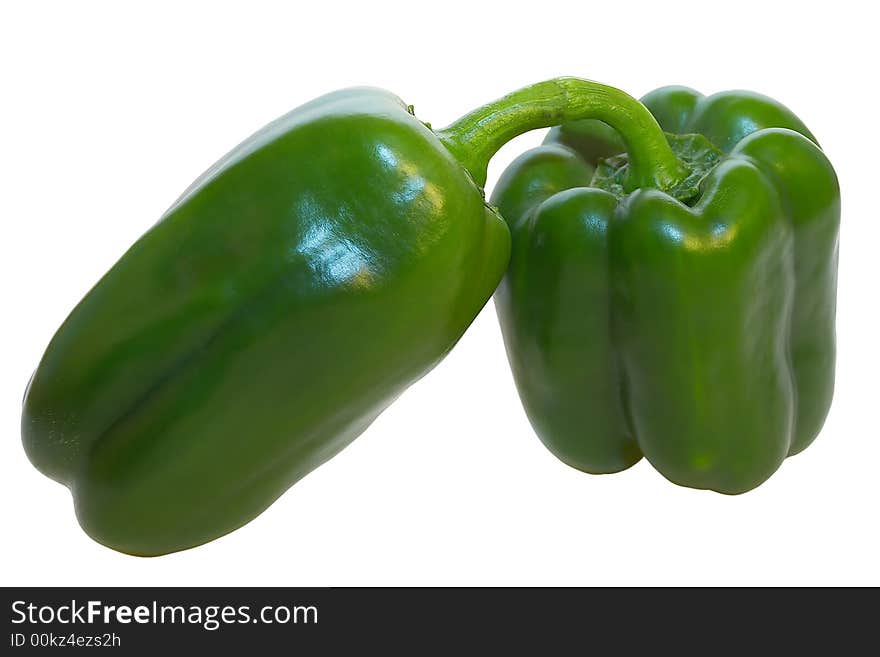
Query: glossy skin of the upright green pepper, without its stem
(700, 337)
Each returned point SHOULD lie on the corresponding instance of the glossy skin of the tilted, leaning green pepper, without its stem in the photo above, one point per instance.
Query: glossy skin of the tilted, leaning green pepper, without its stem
(291, 294)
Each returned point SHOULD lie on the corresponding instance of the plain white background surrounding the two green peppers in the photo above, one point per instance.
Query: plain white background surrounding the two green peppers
(108, 112)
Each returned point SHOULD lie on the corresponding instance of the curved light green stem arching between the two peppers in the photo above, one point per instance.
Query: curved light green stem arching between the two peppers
(477, 136)
